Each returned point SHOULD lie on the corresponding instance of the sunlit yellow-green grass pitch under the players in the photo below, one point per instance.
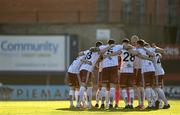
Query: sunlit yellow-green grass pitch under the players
(62, 107)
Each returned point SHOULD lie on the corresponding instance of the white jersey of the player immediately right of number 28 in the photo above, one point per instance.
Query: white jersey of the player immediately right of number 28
(146, 65)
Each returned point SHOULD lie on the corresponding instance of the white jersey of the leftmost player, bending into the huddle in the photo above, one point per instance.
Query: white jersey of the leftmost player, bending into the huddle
(76, 64)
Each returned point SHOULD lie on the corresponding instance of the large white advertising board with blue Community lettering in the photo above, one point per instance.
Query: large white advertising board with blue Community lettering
(32, 53)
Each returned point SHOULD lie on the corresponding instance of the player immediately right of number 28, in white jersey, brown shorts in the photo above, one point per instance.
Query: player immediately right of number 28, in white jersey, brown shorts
(148, 71)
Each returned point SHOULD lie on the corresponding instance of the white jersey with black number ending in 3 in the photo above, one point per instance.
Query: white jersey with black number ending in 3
(92, 57)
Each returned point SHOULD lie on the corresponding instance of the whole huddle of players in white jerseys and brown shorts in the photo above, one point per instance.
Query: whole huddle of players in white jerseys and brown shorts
(129, 67)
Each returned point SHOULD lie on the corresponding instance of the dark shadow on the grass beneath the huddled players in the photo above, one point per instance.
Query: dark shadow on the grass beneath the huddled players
(120, 109)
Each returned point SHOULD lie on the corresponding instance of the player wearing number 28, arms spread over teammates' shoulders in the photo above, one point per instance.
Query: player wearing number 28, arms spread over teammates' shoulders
(127, 71)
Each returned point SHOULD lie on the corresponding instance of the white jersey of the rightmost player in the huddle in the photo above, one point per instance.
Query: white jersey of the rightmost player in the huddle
(157, 64)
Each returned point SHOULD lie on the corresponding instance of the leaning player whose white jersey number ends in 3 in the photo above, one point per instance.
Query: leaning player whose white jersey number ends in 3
(86, 70)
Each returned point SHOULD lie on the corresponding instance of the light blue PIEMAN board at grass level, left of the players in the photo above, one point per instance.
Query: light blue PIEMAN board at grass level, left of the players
(34, 92)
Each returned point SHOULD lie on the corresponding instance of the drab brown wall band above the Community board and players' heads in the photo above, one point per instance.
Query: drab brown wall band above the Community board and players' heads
(87, 32)
